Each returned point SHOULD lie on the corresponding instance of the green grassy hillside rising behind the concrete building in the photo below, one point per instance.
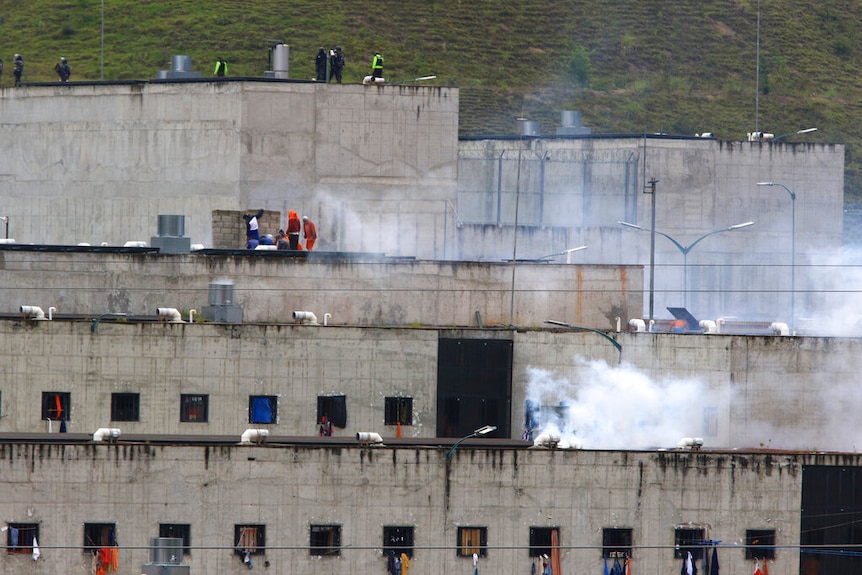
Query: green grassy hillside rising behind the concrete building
(627, 65)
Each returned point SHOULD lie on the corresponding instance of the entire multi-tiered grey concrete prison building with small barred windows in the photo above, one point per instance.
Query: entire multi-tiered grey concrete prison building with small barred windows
(254, 439)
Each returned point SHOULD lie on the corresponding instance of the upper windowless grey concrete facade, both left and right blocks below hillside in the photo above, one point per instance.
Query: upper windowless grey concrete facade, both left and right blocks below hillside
(380, 169)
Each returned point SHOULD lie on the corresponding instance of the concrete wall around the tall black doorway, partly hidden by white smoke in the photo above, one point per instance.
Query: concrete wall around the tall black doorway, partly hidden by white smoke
(794, 393)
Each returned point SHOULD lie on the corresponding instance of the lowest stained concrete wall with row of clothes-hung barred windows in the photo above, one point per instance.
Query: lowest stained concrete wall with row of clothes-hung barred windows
(289, 488)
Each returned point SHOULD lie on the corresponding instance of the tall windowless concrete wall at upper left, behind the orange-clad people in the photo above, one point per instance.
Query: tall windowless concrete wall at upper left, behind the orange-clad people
(99, 162)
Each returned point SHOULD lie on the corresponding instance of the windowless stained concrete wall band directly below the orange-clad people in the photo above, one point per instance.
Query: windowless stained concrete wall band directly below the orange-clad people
(361, 290)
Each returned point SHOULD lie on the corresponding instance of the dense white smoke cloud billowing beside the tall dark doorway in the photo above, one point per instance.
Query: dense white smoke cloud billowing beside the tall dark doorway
(616, 407)
